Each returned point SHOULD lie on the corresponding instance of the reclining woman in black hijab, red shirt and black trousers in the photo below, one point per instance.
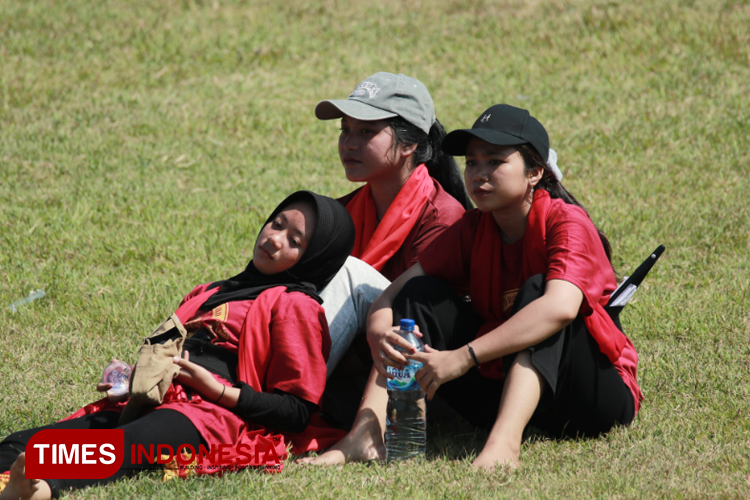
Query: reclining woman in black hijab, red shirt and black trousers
(263, 336)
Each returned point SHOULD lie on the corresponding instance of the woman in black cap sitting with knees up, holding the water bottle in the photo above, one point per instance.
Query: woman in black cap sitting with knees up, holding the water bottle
(535, 344)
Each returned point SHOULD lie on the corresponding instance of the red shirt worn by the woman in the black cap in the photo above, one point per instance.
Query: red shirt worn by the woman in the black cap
(574, 254)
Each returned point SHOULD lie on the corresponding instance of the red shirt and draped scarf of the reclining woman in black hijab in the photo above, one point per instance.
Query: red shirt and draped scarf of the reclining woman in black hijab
(287, 344)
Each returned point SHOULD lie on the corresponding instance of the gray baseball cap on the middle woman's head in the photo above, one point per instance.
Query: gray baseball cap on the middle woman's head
(381, 96)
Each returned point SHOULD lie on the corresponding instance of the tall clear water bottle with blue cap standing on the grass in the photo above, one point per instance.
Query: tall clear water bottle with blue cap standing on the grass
(405, 433)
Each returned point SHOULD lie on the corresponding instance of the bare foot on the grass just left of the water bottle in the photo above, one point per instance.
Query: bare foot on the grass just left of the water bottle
(361, 444)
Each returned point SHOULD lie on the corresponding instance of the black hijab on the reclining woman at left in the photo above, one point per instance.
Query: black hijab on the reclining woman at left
(331, 244)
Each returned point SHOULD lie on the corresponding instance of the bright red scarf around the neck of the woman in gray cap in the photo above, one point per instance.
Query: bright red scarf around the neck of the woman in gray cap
(375, 242)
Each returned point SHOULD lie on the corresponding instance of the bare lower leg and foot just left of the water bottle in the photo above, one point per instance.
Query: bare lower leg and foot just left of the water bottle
(365, 441)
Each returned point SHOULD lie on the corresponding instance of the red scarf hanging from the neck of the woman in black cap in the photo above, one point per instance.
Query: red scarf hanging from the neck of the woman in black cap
(487, 296)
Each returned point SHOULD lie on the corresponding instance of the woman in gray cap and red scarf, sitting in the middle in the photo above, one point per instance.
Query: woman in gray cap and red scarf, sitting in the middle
(389, 139)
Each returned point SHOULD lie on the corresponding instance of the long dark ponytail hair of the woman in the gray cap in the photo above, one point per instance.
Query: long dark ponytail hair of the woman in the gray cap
(442, 167)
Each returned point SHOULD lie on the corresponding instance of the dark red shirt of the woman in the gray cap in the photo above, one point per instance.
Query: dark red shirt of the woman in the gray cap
(440, 212)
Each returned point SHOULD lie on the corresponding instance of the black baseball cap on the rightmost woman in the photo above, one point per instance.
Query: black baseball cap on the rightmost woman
(501, 125)
